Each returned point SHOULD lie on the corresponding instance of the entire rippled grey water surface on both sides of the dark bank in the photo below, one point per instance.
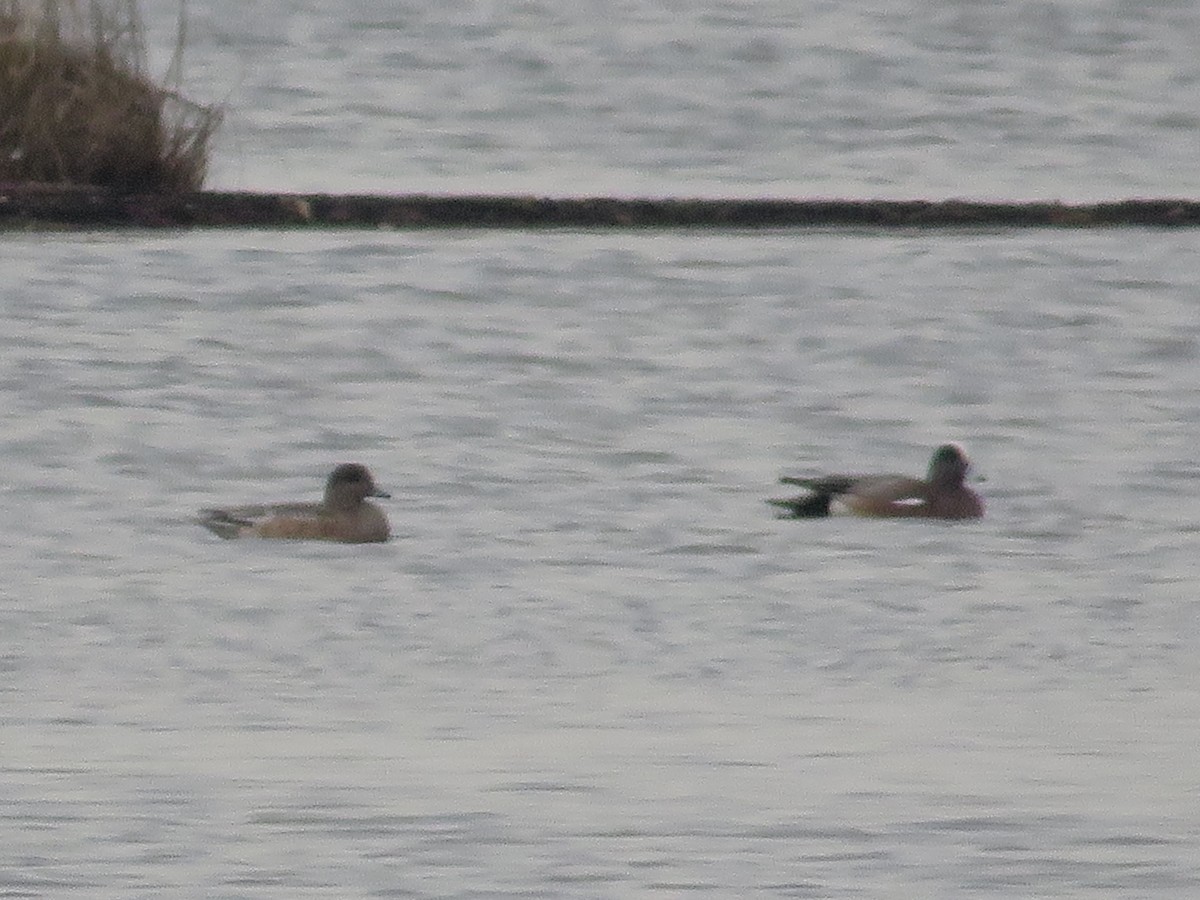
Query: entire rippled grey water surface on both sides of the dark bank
(591, 663)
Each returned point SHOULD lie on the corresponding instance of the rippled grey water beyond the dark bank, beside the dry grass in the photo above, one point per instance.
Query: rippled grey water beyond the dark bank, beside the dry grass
(1078, 100)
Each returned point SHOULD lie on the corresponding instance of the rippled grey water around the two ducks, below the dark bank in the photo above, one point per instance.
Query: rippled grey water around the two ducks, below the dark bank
(591, 663)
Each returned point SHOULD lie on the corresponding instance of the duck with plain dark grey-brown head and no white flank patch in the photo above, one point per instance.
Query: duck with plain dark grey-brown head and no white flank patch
(344, 515)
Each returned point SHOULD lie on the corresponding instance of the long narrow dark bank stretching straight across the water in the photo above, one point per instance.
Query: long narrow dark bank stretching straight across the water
(51, 207)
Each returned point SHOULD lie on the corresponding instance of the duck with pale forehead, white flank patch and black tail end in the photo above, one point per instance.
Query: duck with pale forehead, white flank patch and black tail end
(943, 495)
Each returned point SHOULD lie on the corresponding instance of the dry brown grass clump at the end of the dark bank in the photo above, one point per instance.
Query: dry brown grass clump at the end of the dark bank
(77, 107)
